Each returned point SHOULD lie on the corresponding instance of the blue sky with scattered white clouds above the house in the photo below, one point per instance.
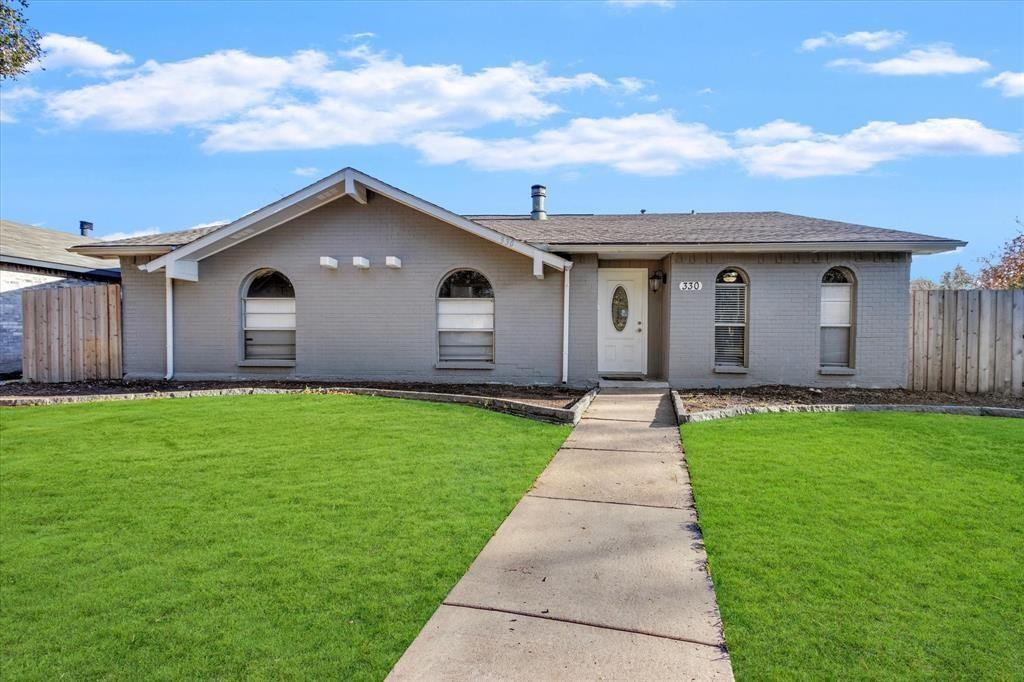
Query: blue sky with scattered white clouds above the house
(164, 116)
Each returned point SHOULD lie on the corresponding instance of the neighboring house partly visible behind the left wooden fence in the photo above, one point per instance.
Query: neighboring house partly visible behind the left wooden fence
(37, 259)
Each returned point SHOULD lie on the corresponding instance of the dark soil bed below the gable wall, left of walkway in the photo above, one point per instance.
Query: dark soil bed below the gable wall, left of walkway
(548, 397)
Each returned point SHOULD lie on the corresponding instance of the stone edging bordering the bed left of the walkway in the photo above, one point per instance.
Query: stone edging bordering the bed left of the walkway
(557, 415)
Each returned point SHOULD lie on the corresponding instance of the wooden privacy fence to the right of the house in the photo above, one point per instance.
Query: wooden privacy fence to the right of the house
(969, 342)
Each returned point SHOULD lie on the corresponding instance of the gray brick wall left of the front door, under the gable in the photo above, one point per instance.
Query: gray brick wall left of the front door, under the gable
(376, 324)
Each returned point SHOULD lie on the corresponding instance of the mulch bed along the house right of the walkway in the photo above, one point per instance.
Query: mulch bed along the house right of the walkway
(710, 399)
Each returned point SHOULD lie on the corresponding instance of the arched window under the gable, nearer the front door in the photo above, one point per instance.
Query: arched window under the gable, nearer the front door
(466, 319)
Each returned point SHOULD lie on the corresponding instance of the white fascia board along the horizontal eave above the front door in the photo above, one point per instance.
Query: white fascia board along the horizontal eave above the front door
(764, 247)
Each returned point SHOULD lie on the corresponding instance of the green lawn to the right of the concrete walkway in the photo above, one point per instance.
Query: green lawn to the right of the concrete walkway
(866, 545)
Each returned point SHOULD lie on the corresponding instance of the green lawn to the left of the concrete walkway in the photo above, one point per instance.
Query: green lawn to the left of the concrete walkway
(261, 537)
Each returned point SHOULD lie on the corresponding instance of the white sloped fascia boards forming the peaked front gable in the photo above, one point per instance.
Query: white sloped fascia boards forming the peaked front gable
(355, 185)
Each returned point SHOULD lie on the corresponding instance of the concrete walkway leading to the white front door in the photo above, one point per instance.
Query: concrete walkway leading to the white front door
(600, 573)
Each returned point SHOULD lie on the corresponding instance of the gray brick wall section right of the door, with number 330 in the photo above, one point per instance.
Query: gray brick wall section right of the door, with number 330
(785, 314)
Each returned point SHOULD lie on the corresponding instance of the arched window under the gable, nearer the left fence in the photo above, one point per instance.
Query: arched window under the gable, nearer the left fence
(269, 317)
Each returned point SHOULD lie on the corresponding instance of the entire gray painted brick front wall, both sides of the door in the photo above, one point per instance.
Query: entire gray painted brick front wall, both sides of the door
(381, 324)
